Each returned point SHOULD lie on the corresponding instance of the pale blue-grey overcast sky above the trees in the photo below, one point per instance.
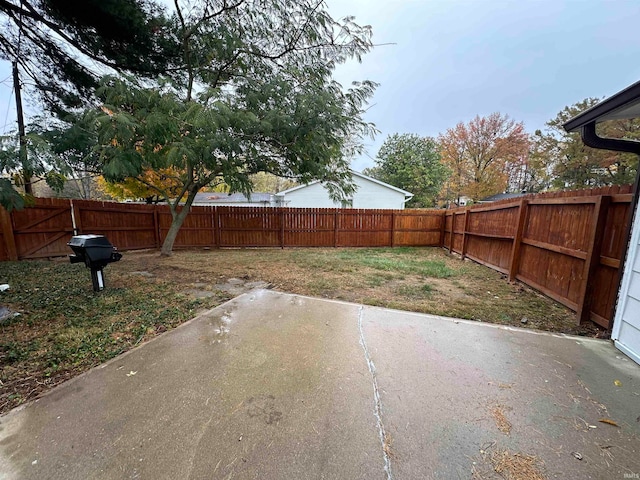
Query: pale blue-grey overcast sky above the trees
(454, 59)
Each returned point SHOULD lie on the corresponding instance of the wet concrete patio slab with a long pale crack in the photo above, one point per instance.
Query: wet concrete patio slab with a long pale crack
(274, 386)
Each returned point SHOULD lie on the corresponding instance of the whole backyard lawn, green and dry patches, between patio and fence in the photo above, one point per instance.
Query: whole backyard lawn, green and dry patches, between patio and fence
(63, 328)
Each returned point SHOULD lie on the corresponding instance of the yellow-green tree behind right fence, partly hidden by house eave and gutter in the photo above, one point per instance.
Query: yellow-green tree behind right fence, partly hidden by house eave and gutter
(573, 164)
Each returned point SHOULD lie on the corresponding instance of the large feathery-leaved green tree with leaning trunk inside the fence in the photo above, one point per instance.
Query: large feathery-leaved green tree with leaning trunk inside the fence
(253, 91)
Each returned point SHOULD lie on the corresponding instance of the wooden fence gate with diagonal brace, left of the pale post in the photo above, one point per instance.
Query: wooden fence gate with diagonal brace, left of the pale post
(43, 229)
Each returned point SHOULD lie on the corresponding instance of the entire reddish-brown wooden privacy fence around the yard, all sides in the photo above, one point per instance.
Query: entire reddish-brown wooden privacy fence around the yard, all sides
(568, 245)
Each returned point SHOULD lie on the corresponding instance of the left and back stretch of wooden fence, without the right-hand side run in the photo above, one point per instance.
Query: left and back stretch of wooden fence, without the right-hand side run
(44, 229)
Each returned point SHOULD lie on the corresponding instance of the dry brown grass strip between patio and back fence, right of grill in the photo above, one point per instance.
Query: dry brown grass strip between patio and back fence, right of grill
(425, 280)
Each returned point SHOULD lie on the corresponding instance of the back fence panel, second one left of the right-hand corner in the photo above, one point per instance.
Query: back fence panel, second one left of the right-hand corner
(364, 228)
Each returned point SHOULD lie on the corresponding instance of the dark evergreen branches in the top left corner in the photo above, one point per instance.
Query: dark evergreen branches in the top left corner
(55, 41)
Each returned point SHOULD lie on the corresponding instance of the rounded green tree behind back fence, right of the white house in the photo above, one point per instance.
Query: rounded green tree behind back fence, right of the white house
(411, 162)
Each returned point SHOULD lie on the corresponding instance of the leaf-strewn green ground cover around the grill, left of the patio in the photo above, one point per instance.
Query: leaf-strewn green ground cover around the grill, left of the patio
(64, 328)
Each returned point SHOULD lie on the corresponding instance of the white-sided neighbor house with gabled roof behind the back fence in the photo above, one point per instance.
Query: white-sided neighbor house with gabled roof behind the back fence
(370, 193)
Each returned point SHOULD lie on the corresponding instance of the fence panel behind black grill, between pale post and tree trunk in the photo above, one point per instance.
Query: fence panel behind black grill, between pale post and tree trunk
(128, 226)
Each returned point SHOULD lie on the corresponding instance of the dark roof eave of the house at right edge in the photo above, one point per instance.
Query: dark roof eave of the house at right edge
(623, 105)
